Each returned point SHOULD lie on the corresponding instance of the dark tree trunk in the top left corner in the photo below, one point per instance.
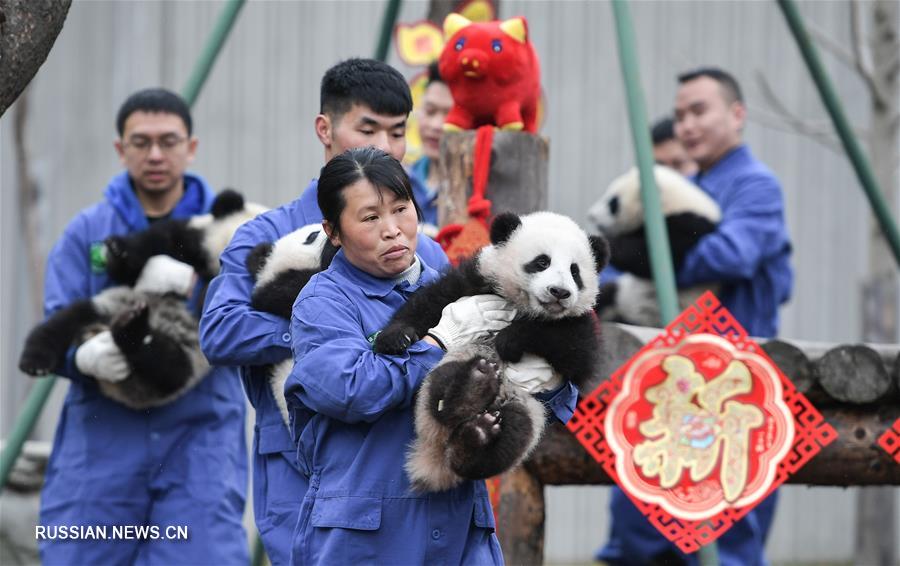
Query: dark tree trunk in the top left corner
(28, 29)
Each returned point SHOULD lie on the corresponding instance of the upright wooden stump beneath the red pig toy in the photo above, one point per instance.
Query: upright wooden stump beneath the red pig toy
(517, 181)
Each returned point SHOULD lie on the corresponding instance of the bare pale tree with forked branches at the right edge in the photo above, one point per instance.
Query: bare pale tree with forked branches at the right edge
(874, 56)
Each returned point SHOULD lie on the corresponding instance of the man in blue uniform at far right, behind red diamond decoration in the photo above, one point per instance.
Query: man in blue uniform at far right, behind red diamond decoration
(749, 255)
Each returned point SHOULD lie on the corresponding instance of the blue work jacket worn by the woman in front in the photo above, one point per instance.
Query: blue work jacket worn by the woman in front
(352, 419)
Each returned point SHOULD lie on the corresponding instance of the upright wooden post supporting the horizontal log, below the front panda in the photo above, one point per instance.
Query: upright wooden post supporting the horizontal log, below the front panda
(521, 520)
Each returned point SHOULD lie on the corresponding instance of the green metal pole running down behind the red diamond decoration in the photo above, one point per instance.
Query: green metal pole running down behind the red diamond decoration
(660, 252)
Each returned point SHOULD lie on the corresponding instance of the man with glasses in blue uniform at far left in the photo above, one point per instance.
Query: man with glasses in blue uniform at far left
(183, 464)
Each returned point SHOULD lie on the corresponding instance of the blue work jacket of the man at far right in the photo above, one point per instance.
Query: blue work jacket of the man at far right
(749, 252)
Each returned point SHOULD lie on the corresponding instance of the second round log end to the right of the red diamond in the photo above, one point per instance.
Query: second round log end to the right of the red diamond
(854, 374)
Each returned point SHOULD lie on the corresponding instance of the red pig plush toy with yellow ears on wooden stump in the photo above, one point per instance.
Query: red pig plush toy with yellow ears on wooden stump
(493, 73)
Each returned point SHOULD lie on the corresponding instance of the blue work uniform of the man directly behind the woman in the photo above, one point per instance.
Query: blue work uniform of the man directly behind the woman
(242, 340)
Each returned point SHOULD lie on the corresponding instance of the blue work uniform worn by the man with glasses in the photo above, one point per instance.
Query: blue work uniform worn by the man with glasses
(105, 454)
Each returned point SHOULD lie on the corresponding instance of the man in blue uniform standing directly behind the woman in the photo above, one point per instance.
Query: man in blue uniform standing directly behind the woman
(363, 102)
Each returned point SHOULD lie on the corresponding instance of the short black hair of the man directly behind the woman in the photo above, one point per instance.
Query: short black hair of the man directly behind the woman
(364, 81)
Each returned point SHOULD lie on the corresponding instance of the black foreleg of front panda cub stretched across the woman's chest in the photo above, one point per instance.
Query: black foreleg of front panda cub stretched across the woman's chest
(423, 309)
